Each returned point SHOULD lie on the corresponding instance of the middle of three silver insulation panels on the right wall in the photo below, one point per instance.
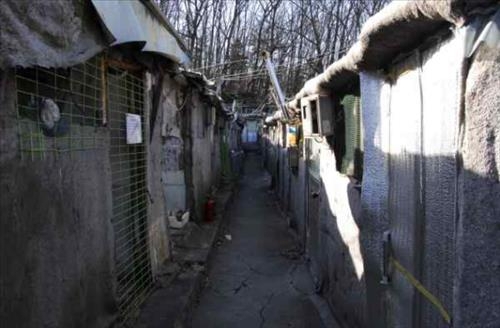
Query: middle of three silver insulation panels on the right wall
(405, 217)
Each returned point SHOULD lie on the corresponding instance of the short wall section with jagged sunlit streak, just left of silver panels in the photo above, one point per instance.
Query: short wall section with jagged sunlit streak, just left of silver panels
(340, 259)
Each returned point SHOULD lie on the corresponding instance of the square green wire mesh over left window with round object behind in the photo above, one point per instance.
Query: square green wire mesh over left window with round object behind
(59, 110)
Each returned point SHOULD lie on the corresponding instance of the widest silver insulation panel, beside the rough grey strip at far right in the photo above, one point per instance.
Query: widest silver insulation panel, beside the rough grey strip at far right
(441, 89)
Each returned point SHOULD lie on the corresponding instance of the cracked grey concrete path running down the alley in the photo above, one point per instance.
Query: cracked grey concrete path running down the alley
(256, 280)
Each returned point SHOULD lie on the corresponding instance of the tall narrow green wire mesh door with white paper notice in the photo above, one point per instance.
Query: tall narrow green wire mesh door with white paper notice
(125, 94)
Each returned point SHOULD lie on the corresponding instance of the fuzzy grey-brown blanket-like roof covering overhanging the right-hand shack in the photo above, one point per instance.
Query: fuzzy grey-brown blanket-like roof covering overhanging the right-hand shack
(396, 29)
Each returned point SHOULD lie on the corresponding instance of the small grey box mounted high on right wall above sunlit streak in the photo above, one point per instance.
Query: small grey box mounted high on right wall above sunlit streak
(317, 116)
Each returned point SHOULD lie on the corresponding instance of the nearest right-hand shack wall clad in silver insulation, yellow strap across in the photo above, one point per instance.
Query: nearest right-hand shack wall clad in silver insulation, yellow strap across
(421, 181)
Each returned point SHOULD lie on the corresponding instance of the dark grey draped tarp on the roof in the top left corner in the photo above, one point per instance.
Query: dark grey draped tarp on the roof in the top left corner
(55, 33)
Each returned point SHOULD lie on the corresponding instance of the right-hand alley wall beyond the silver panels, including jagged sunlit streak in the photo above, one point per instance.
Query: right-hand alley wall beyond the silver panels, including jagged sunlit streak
(326, 226)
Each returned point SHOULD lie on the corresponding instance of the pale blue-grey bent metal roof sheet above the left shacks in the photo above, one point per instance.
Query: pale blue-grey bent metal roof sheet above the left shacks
(135, 21)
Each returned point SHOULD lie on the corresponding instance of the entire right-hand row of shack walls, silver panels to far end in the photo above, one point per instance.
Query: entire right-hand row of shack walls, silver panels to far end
(430, 179)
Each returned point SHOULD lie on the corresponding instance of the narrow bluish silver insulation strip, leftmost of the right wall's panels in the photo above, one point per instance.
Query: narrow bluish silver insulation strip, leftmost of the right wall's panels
(375, 110)
